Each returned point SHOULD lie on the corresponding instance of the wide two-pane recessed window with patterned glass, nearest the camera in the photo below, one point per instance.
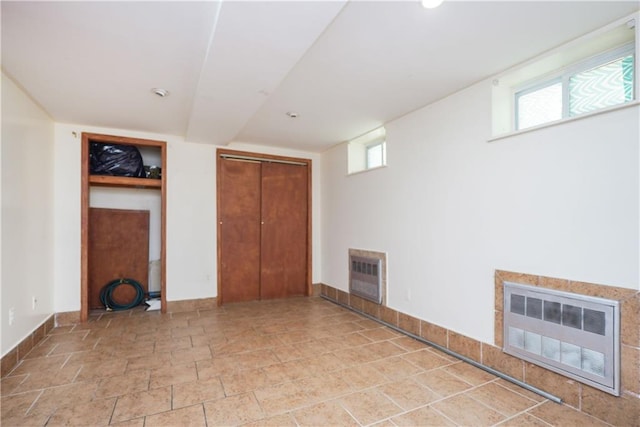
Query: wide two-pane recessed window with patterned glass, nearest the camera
(594, 72)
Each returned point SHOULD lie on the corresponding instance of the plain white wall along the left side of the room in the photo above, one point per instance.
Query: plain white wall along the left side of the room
(27, 220)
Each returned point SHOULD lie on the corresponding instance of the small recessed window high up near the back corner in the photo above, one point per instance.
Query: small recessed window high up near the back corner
(368, 151)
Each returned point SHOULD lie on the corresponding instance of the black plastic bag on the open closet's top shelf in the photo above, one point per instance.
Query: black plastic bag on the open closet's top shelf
(114, 159)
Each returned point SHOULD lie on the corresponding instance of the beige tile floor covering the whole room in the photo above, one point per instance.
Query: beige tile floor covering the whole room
(297, 362)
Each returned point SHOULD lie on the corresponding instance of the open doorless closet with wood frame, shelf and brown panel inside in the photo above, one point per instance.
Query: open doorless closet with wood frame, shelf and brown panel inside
(123, 222)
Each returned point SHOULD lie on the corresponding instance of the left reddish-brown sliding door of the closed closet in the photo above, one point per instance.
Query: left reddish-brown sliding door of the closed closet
(239, 230)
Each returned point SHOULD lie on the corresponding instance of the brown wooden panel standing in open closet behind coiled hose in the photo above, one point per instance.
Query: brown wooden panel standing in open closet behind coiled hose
(118, 248)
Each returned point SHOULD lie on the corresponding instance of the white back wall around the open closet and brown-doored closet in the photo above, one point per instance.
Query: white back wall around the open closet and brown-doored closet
(191, 213)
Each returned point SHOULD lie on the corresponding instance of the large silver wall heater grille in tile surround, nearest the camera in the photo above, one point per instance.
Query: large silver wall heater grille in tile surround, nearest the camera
(575, 335)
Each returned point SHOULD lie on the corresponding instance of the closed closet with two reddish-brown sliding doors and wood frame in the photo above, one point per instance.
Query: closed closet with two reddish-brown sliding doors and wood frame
(264, 226)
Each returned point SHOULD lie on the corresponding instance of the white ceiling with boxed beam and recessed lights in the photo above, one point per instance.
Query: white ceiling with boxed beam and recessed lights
(235, 68)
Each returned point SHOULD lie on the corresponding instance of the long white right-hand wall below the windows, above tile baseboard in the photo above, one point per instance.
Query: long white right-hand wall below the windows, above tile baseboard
(451, 208)
